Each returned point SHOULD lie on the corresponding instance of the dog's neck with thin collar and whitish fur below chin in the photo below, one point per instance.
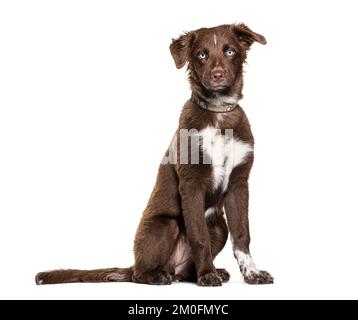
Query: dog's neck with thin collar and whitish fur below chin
(217, 103)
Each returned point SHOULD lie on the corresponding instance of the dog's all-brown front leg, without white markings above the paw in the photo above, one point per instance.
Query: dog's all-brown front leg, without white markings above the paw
(198, 236)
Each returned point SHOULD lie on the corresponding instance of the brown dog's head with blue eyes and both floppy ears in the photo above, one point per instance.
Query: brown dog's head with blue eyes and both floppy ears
(215, 57)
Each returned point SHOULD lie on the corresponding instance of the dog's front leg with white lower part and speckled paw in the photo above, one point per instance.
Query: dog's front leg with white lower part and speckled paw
(236, 209)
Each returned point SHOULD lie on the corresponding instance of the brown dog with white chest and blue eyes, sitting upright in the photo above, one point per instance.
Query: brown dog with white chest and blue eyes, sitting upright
(201, 193)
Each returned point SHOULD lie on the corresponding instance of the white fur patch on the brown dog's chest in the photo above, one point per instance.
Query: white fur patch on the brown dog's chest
(224, 152)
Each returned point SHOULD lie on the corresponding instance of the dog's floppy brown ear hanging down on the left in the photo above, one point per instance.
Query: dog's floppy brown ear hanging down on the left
(180, 48)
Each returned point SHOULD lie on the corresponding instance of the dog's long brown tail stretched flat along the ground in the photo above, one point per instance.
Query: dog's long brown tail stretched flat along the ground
(71, 276)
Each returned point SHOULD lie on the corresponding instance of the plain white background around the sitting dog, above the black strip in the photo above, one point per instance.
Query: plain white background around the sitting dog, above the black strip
(89, 100)
